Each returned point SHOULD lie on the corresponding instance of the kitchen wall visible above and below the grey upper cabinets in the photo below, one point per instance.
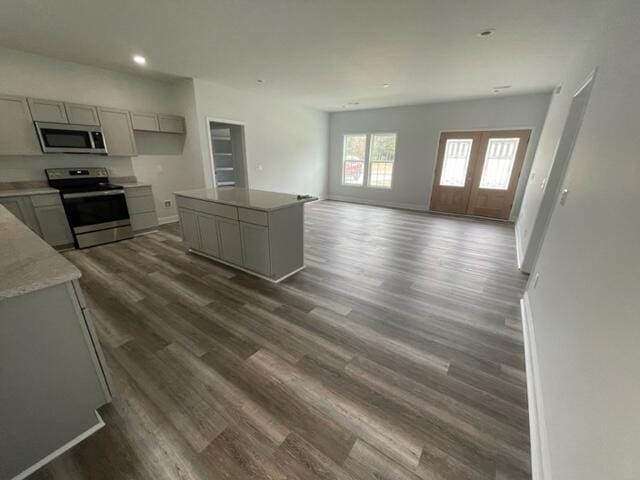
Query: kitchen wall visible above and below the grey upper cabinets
(163, 165)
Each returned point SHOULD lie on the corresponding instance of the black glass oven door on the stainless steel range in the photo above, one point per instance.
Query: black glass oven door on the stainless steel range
(91, 211)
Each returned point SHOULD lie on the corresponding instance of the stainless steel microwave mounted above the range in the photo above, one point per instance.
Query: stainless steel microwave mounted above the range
(65, 138)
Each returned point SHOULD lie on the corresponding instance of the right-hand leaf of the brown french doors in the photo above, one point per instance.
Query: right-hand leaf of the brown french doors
(496, 174)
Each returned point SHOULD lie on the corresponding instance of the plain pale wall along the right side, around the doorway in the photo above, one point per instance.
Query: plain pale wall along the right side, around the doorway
(585, 309)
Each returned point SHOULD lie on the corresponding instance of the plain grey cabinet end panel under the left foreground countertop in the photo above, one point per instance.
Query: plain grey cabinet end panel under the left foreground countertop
(49, 389)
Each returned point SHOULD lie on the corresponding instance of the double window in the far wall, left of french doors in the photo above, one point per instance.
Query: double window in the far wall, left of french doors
(368, 156)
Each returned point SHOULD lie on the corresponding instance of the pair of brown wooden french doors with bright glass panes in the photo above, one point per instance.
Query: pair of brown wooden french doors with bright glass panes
(477, 172)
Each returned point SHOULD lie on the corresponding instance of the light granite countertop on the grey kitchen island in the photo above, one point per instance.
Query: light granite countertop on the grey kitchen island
(247, 198)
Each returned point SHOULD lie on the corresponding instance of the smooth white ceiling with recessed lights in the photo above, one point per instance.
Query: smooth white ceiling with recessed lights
(321, 53)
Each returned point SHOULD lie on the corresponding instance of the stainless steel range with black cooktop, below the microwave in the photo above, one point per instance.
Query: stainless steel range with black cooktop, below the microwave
(96, 209)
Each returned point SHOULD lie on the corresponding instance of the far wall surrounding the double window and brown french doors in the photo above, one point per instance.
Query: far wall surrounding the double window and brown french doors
(418, 129)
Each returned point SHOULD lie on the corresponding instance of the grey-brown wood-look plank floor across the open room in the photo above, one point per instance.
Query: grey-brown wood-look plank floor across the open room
(396, 354)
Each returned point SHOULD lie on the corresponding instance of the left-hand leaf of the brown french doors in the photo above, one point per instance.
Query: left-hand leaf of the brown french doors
(454, 171)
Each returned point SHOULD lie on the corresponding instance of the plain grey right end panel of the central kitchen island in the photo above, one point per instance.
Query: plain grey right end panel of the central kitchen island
(286, 239)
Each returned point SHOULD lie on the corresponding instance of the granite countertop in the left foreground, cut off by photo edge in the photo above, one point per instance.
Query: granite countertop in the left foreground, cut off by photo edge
(28, 263)
